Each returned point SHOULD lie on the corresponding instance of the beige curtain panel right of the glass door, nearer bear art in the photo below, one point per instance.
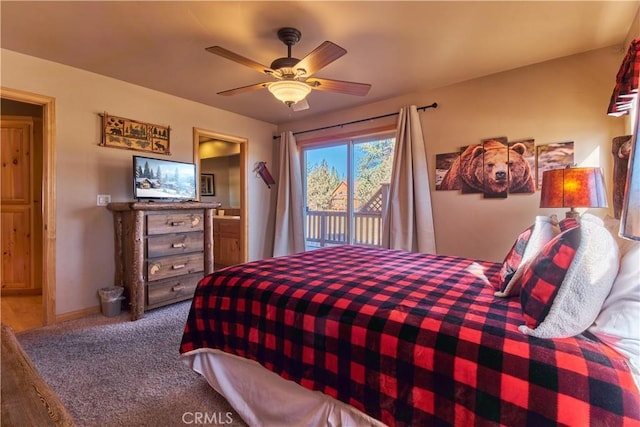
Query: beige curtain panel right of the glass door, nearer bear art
(407, 221)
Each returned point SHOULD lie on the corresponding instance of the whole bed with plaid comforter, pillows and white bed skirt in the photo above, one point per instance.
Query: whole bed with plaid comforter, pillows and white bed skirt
(354, 336)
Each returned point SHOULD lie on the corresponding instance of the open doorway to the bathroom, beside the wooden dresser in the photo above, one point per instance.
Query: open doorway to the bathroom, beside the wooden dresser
(216, 150)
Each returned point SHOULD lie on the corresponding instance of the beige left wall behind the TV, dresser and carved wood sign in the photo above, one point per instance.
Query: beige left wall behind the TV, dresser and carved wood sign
(84, 244)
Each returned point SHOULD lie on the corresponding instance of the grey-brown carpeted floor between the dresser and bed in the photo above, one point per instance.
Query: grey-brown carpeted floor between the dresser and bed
(111, 372)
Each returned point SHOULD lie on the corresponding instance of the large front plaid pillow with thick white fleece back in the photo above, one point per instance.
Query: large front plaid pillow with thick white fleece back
(566, 284)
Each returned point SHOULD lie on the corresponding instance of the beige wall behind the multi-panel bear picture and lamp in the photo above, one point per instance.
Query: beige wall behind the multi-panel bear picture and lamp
(560, 100)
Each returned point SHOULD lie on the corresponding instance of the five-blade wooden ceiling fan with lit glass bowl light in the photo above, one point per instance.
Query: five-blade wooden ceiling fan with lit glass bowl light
(293, 76)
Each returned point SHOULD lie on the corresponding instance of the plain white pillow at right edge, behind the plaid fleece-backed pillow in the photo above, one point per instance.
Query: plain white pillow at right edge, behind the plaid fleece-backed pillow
(618, 324)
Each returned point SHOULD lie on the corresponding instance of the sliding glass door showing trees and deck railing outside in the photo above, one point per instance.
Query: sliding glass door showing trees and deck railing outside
(346, 184)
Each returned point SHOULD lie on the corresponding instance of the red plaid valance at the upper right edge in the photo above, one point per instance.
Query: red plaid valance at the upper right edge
(626, 82)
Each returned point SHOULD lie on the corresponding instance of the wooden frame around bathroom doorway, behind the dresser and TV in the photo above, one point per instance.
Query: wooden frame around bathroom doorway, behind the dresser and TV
(244, 149)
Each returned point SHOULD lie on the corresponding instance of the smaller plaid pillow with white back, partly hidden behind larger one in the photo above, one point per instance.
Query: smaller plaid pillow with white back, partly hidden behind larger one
(527, 245)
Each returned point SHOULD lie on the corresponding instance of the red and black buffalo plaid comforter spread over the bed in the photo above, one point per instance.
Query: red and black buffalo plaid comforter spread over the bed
(410, 339)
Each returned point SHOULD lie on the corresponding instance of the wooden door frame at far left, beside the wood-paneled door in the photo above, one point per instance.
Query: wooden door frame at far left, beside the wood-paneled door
(48, 195)
